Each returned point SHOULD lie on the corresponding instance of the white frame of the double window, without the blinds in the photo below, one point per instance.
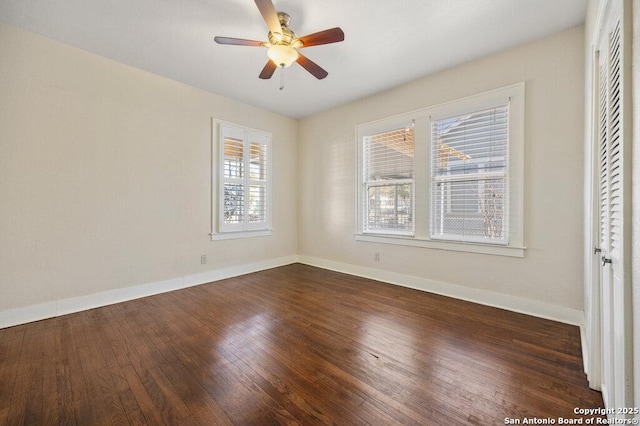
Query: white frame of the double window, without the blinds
(514, 247)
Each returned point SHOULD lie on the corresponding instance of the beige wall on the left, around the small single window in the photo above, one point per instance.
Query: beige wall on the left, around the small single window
(105, 175)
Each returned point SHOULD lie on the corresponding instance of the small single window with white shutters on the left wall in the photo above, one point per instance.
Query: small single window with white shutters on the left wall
(244, 193)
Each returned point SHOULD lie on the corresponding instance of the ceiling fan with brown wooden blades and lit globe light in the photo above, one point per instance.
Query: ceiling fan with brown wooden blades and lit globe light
(283, 42)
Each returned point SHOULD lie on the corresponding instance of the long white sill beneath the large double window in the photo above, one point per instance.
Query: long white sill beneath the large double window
(509, 251)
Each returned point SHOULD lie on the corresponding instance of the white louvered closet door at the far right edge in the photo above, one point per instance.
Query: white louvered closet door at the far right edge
(615, 300)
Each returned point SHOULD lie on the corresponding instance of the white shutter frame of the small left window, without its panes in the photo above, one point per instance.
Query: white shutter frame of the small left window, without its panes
(248, 136)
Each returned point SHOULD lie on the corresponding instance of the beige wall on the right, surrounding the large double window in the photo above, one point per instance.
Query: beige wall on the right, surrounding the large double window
(552, 270)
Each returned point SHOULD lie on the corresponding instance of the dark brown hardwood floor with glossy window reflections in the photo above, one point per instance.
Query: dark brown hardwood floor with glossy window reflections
(291, 345)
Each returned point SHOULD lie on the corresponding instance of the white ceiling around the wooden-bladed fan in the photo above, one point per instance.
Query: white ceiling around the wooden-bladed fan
(386, 43)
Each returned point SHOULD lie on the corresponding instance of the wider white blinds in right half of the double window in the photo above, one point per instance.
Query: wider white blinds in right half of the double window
(469, 176)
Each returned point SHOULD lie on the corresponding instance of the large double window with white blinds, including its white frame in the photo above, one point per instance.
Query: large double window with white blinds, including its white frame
(448, 176)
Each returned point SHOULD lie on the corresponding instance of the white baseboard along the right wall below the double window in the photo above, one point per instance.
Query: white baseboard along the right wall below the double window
(483, 297)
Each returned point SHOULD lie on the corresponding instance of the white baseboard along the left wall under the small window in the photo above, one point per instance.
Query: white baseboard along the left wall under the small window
(82, 303)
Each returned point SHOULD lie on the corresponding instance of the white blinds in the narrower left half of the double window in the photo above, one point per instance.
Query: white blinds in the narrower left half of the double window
(388, 181)
